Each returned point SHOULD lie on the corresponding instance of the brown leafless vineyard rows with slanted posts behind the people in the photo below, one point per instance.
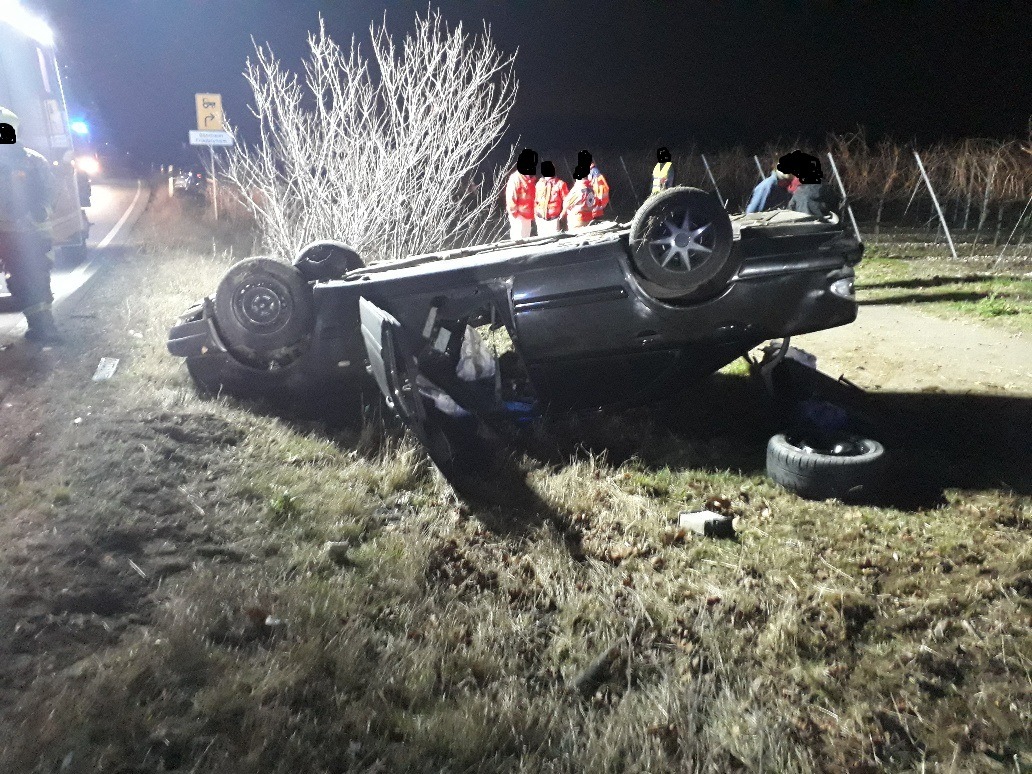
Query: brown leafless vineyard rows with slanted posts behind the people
(983, 186)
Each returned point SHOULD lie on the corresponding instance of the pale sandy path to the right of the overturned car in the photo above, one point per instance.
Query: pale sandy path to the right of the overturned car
(897, 348)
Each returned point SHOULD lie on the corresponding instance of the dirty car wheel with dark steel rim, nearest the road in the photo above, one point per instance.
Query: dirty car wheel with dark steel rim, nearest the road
(264, 307)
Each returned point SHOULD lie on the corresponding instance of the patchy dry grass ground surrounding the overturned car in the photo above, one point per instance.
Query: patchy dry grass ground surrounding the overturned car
(564, 623)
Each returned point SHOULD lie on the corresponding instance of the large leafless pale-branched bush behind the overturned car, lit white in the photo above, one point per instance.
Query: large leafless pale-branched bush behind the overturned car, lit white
(383, 153)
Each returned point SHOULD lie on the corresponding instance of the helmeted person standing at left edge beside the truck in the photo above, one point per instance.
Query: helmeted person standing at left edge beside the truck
(26, 199)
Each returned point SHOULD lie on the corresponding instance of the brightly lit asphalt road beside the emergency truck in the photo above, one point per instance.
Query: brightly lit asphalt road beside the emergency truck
(116, 207)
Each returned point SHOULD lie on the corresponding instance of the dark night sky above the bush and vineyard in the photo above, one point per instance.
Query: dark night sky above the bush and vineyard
(624, 74)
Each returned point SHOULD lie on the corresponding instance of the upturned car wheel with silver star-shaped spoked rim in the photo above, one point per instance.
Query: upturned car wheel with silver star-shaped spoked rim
(682, 244)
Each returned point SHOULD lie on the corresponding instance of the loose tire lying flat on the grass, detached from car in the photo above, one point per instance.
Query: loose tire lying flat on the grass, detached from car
(852, 470)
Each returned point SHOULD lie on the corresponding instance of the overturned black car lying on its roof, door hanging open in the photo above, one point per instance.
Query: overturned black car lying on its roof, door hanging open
(611, 315)
